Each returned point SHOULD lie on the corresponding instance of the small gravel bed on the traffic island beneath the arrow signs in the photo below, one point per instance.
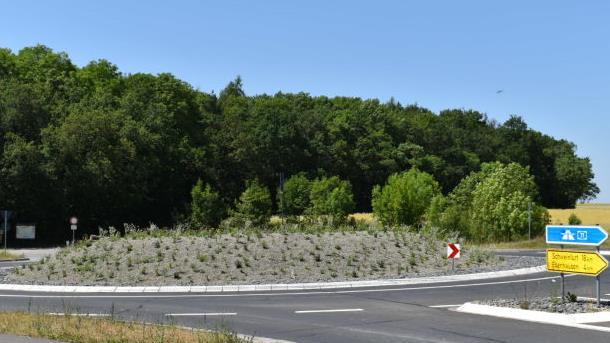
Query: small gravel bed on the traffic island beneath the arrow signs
(549, 304)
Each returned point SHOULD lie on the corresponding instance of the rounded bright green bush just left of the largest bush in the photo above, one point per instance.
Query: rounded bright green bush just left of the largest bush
(405, 198)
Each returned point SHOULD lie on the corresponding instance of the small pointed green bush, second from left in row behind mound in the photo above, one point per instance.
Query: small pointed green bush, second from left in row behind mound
(254, 204)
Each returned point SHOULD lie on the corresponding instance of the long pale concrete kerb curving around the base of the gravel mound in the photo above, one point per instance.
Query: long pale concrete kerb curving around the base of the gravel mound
(271, 287)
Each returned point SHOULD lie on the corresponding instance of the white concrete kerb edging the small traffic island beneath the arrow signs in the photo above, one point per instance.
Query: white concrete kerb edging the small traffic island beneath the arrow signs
(577, 320)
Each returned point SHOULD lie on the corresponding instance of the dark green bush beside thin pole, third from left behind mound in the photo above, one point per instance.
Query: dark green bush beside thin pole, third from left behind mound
(294, 198)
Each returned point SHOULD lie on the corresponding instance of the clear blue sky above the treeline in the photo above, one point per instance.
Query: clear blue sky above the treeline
(551, 58)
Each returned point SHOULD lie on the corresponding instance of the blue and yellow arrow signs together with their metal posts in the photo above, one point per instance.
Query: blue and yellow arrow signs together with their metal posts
(577, 262)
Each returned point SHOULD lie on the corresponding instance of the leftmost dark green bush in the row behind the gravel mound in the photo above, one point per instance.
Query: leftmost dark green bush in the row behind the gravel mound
(207, 208)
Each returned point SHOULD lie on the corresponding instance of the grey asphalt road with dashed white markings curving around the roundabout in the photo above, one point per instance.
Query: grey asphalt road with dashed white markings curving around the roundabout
(386, 314)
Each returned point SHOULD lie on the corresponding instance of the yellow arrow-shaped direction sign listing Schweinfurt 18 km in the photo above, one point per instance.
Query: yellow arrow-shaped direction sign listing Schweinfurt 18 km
(576, 262)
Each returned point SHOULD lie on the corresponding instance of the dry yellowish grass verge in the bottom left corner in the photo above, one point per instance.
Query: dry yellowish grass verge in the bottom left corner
(75, 329)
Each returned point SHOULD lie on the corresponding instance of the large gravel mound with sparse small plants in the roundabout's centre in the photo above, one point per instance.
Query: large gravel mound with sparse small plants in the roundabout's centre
(256, 259)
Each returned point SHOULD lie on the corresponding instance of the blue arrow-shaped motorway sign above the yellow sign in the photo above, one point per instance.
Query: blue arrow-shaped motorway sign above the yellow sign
(575, 235)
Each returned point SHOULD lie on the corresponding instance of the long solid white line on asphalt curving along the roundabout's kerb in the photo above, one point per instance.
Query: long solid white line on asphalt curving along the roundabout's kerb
(284, 293)
